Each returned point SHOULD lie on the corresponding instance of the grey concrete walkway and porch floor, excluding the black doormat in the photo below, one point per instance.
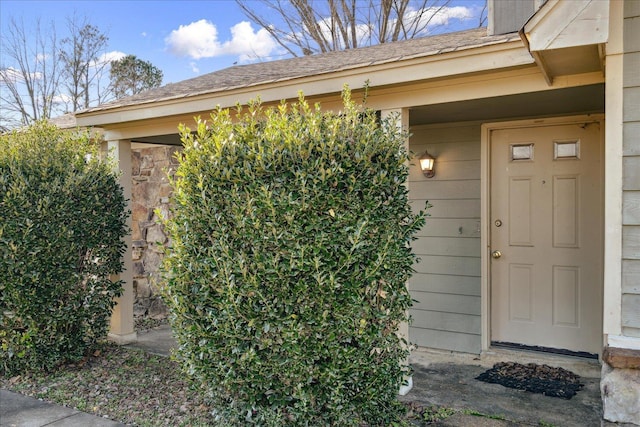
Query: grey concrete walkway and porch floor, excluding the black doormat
(440, 378)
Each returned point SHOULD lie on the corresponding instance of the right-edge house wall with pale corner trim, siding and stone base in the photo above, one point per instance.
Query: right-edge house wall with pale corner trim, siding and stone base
(620, 379)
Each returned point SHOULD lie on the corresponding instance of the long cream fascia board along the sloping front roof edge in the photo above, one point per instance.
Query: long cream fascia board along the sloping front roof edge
(455, 63)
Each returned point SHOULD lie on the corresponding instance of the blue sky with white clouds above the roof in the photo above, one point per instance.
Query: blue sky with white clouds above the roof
(182, 38)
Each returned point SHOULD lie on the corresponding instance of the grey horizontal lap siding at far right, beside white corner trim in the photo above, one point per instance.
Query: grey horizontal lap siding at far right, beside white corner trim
(631, 175)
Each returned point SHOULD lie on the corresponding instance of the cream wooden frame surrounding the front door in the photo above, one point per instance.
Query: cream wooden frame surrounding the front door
(485, 201)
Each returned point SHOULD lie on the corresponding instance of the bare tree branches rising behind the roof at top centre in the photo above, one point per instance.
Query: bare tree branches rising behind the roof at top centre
(321, 26)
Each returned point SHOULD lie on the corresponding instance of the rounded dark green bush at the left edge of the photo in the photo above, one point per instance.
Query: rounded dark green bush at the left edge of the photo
(62, 223)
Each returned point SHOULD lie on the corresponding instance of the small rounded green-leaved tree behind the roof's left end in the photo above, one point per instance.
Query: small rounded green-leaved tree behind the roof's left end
(130, 76)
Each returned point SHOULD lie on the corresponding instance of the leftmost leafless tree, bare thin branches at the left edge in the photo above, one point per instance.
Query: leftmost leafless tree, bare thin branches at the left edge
(28, 87)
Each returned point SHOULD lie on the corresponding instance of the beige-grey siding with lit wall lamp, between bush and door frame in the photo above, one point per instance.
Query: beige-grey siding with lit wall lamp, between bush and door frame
(446, 284)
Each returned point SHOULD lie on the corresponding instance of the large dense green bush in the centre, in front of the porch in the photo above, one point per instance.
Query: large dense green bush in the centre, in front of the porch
(289, 261)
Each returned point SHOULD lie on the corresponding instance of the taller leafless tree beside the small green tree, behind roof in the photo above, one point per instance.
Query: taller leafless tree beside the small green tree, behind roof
(83, 66)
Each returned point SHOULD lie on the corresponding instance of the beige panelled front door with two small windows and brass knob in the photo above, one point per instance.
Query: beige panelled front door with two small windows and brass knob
(546, 222)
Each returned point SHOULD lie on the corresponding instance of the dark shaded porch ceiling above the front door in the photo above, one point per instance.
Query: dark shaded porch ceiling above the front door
(575, 100)
